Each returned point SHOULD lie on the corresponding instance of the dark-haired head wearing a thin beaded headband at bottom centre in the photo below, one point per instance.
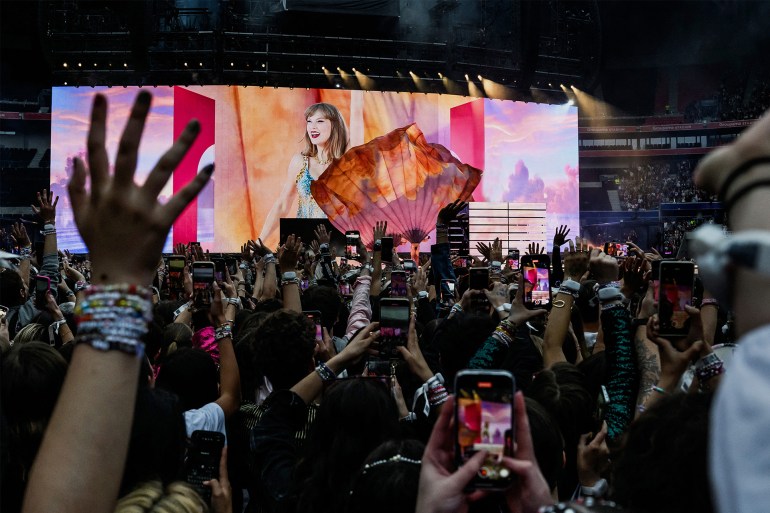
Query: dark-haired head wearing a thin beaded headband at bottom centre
(391, 483)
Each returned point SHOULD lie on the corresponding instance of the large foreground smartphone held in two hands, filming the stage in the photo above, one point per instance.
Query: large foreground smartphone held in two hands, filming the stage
(484, 422)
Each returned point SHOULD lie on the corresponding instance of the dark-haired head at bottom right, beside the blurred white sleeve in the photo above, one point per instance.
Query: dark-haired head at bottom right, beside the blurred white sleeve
(663, 465)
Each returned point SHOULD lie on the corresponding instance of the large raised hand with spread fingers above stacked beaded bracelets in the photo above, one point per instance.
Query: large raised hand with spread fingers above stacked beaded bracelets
(126, 249)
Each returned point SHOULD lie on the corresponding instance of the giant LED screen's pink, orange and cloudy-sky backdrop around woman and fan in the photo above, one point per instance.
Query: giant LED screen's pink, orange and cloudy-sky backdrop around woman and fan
(528, 152)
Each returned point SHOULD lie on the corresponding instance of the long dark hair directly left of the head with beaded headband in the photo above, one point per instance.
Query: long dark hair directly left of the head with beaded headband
(356, 415)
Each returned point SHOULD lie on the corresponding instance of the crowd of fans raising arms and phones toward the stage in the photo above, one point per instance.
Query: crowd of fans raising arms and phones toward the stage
(117, 367)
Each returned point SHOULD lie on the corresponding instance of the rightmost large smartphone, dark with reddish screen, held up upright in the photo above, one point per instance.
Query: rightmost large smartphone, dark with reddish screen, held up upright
(676, 286)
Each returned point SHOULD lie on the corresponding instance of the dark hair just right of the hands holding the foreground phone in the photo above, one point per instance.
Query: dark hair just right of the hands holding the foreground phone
(547, 441)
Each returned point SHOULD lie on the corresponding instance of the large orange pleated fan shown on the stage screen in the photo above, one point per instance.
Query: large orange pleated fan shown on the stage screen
(399, 178)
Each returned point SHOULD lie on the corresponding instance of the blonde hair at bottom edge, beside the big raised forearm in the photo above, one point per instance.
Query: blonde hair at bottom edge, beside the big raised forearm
(150, 497)
